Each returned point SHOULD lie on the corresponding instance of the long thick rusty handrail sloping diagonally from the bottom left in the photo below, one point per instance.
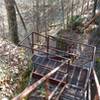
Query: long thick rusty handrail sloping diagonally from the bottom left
(32, 87)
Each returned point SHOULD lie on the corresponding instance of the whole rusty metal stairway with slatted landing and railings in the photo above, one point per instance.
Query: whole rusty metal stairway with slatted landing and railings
(64, 80)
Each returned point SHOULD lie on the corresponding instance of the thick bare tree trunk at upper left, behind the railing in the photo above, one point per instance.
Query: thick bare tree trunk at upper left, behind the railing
(12, 21)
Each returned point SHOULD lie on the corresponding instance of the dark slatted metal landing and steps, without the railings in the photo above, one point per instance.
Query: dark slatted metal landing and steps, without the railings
(72, 86)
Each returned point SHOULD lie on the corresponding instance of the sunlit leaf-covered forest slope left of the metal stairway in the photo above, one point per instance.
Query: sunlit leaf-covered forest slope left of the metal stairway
(13, 68)
